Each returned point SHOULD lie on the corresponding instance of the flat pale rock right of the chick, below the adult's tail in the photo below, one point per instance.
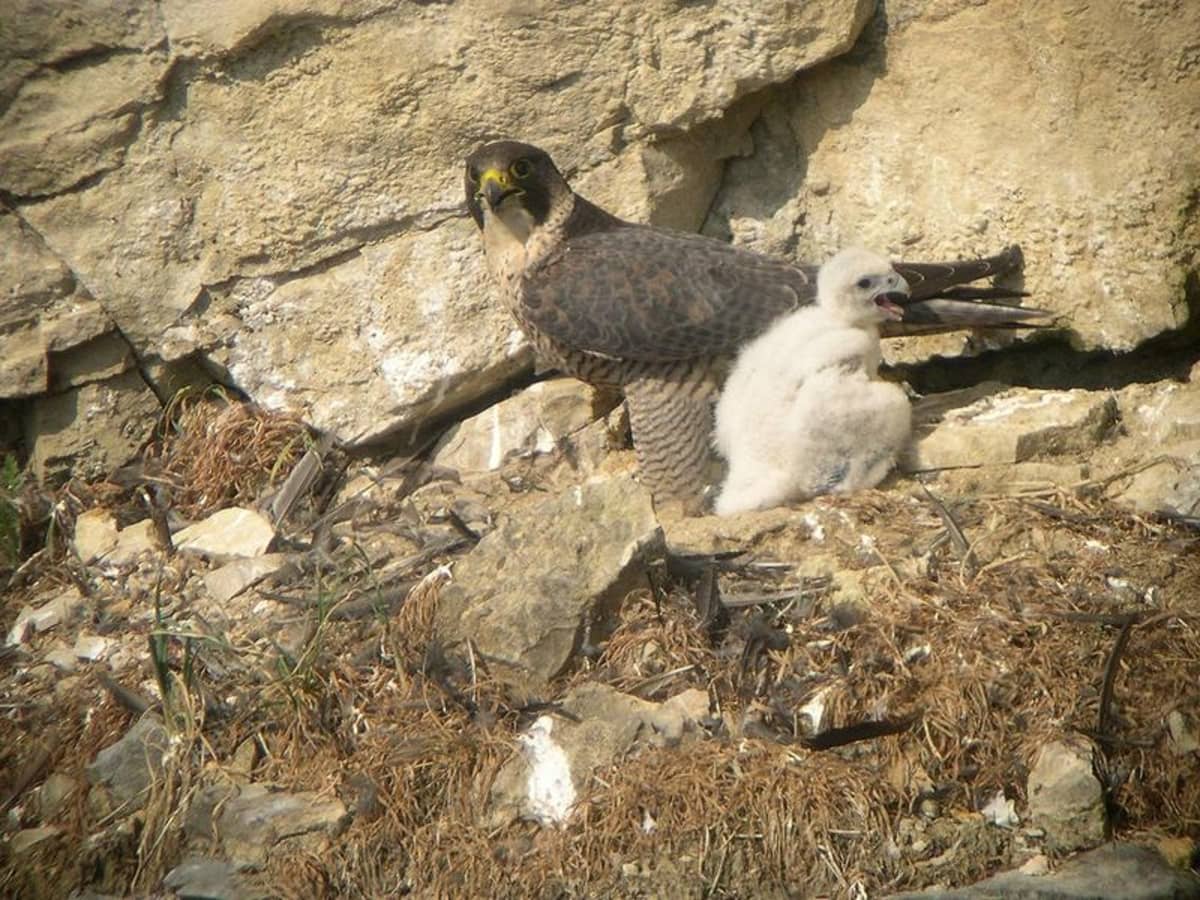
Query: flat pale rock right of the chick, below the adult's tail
(1012, 427)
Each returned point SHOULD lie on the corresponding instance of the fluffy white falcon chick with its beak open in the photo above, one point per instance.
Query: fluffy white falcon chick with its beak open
(802, 413)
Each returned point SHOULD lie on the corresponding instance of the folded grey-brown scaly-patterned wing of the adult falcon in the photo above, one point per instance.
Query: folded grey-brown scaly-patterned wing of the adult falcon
(640, 293)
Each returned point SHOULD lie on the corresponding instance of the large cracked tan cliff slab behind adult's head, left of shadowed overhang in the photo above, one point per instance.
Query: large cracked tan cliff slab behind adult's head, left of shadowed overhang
(344, 292)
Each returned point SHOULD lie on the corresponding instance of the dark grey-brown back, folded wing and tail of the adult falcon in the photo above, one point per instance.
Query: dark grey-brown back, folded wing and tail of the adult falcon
(647, 295)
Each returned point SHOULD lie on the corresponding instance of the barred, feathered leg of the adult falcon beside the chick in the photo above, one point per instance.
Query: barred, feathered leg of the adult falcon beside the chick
(671, 415)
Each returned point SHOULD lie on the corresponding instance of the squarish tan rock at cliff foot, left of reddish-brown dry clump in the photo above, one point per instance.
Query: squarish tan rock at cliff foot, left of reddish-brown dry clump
(92, 430)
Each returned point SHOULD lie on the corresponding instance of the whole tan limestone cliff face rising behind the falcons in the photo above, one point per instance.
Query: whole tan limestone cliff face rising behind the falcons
(267, 194)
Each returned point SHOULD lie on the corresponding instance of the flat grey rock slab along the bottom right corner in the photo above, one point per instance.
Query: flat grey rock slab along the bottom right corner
(1115, 872)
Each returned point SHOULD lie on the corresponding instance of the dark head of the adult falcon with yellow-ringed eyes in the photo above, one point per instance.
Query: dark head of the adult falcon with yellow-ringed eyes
(515, 183)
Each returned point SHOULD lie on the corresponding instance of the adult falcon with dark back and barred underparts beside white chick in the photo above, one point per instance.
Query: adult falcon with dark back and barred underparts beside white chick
(656, 313)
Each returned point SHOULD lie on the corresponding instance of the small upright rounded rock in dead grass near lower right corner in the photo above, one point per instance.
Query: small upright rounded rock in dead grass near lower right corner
(1066, 799)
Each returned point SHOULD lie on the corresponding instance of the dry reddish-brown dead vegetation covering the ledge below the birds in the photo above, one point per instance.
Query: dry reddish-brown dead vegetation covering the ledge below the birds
(980, 631)
